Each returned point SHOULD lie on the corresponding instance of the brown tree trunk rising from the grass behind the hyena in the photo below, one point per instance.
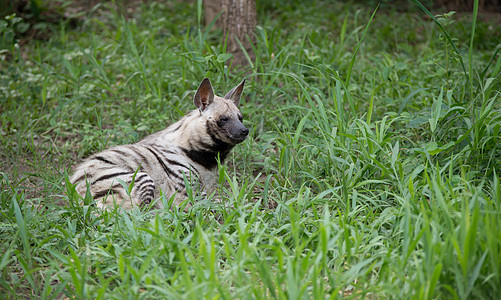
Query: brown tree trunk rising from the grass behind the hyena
(237, 21)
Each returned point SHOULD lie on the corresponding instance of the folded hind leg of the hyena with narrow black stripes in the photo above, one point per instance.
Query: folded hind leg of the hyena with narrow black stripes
(110, 191)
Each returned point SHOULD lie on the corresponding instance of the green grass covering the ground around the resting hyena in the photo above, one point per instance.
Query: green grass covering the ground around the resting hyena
(371, 170)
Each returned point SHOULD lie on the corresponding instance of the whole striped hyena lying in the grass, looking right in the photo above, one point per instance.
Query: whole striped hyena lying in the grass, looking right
(186, 150)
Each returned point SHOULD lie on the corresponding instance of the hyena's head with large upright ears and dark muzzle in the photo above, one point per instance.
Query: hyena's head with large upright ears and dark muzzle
(221, 114)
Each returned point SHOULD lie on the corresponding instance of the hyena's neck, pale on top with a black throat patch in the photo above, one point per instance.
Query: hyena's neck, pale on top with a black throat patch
(193, 137)
